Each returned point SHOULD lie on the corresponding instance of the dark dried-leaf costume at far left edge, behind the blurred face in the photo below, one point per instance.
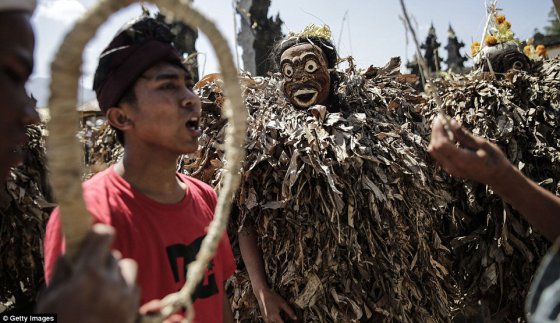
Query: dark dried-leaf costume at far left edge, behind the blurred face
(24, 211)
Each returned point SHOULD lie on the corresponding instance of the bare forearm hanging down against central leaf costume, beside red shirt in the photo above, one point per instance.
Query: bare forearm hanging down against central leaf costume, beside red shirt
(270, 303)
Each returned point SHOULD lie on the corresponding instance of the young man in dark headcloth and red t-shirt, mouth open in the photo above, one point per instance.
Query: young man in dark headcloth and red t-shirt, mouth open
(160, 216)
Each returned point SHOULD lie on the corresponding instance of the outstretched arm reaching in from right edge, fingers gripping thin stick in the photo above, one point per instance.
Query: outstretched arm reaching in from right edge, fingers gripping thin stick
(479, 160)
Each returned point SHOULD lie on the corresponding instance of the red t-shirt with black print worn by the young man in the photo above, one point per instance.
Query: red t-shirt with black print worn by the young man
(162, 238)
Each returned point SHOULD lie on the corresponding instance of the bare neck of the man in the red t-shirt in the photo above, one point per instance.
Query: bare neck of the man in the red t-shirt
(154, 176)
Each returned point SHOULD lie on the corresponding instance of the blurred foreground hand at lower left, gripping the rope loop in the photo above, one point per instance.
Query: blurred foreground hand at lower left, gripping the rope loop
(99, 287)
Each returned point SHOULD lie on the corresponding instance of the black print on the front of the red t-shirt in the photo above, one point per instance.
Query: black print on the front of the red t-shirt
(207, 287)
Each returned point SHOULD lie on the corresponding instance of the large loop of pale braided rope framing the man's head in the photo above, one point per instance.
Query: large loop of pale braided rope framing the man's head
(64, 151)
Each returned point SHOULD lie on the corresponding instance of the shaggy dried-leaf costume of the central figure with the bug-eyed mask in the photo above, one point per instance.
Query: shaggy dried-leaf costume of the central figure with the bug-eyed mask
(344, 204)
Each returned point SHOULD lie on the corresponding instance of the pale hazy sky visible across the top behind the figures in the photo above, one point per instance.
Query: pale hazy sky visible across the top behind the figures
(368, 30)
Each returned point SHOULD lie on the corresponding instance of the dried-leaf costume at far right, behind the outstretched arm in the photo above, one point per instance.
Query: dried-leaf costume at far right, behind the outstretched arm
(496, 251)
